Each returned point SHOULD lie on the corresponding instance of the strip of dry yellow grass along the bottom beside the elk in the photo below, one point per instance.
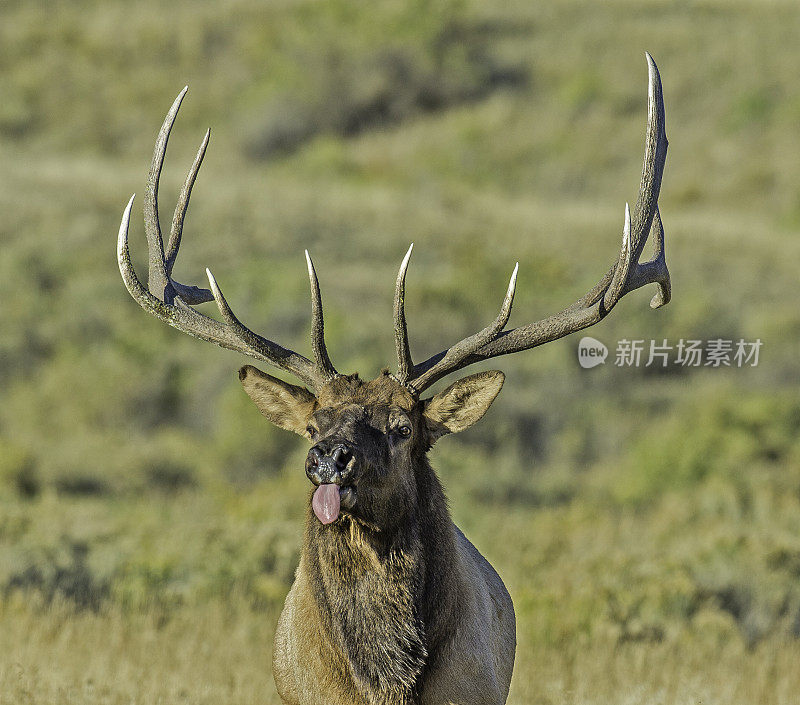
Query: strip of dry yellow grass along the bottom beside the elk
(220, 653)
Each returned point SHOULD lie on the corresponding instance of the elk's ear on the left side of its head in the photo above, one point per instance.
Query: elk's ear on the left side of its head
(286, 405)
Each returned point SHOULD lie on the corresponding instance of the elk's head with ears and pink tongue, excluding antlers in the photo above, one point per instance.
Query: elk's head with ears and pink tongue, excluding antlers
(367, 437)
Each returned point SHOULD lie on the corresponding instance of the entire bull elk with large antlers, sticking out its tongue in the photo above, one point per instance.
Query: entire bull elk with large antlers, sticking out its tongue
(391, 604)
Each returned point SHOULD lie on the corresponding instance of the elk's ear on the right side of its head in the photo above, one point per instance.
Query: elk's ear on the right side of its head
(462, 404)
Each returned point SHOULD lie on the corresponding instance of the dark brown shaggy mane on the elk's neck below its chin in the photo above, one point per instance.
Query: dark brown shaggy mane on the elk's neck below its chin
(387, 602)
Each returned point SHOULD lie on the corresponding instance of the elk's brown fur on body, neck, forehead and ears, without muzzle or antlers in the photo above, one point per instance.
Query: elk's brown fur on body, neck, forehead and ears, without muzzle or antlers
(391, 604)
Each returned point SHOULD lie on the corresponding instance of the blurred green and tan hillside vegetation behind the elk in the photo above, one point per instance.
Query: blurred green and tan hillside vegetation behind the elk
(646, 522)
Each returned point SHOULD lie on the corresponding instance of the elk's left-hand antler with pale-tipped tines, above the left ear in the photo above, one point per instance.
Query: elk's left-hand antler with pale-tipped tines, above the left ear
(171, 301)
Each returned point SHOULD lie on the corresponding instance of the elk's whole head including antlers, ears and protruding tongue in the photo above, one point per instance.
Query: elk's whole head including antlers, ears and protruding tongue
(369, 437)
